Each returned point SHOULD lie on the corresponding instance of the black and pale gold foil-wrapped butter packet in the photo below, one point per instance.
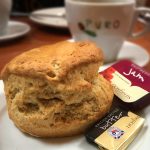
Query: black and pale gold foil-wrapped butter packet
(115, 131)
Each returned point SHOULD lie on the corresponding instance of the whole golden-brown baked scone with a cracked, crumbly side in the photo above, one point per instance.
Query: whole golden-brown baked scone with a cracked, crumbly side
(55, 90)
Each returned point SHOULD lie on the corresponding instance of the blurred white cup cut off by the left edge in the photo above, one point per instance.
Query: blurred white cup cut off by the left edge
(5, 7)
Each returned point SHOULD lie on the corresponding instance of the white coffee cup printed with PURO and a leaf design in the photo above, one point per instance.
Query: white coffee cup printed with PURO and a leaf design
(106, 22)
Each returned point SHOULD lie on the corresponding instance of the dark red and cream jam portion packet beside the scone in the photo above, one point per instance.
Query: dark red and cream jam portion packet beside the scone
(131, 84)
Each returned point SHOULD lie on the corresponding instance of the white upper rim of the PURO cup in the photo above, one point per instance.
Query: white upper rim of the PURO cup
(86, 3)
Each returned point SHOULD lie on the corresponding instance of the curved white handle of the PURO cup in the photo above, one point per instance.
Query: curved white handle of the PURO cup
(140, 10)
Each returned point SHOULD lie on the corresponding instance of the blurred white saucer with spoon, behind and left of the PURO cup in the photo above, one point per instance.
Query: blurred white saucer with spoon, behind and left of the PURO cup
(50, 21)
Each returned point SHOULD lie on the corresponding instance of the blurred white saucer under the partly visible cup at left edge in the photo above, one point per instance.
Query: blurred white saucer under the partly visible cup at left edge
(15, 29)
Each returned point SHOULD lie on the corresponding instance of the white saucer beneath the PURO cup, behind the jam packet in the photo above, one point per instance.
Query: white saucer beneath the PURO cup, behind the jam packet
(131, 51)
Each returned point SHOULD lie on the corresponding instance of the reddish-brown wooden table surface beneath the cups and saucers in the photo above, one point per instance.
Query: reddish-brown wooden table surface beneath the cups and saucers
(40, 35)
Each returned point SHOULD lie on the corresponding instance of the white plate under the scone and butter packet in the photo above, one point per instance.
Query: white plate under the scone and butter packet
(13, 139)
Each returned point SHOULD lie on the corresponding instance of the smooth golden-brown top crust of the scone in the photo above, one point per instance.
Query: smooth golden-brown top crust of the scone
(54, 60)
